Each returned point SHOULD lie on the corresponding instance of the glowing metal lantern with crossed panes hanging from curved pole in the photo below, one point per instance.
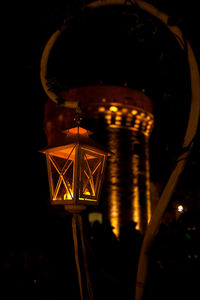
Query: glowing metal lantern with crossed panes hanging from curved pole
(75, 169)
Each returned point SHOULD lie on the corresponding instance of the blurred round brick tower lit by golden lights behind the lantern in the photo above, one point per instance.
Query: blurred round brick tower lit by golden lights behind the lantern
(123, 119)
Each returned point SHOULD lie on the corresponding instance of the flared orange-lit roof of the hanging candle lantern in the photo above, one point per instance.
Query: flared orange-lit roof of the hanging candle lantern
(75, 135)
